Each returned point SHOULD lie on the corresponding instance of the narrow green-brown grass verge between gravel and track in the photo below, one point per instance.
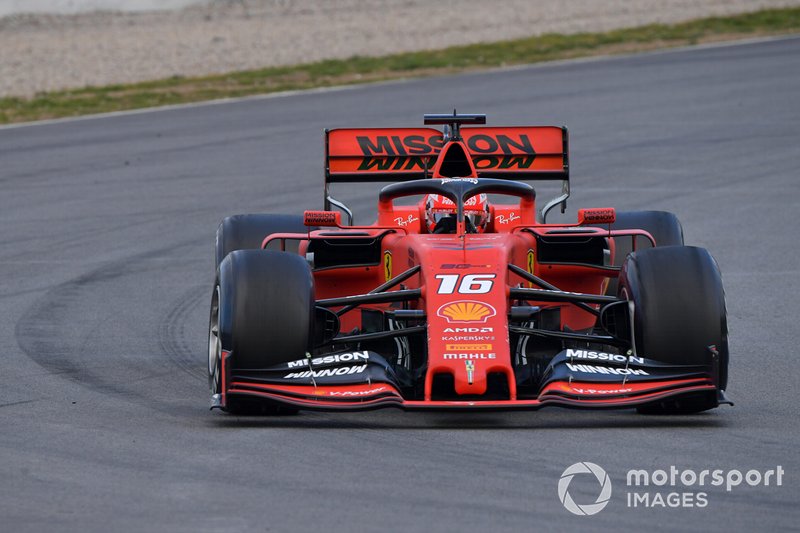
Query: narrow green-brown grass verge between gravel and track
(178, 90)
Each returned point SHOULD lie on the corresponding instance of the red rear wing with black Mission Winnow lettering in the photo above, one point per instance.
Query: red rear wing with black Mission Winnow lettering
(374, 155)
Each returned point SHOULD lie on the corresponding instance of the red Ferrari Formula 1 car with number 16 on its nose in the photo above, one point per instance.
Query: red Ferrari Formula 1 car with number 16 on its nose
(459, 302)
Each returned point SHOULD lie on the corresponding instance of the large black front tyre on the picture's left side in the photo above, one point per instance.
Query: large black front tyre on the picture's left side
(263, 312)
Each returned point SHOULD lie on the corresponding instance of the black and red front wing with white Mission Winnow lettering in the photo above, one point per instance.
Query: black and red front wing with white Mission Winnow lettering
(368, 382)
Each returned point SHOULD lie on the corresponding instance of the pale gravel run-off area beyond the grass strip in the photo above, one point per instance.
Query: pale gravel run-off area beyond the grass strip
(44, 52)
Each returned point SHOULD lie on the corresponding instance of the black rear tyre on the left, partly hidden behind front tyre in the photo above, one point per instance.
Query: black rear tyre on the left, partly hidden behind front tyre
(246, 232)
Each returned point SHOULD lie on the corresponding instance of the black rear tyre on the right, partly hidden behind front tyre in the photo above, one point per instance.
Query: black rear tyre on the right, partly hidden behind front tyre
(664, 226)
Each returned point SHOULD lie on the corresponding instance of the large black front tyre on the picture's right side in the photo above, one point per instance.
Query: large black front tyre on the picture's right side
(679, 313)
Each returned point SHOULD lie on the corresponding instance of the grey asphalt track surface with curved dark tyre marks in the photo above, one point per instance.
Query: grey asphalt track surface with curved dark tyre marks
(106, 261)
